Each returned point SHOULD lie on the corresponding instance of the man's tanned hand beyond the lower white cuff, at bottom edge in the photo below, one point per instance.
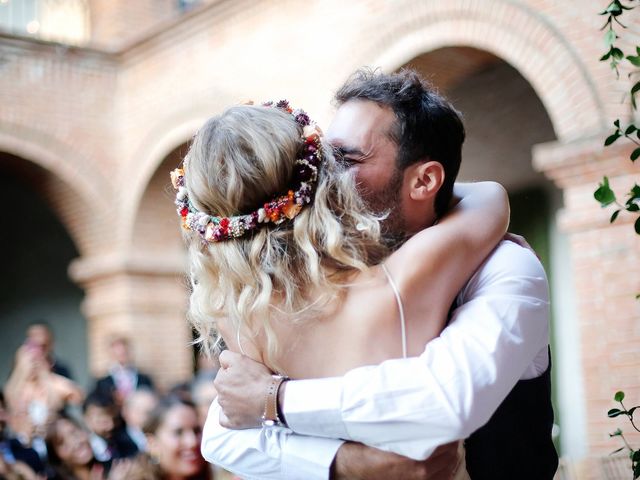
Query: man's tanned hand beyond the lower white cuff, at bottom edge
(355, 461)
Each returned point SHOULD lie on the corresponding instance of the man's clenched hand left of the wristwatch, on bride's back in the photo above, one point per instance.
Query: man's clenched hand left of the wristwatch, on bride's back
(242, 385)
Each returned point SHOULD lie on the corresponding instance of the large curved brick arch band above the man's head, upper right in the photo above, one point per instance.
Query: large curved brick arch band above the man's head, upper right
(520, 36)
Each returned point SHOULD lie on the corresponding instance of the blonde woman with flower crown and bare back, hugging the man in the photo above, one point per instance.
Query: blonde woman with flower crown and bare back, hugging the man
(289, 267)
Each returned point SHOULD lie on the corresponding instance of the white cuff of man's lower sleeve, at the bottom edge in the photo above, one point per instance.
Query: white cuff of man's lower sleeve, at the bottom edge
(309, 458)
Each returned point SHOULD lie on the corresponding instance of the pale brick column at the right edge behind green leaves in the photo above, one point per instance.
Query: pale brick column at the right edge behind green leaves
(606, 275)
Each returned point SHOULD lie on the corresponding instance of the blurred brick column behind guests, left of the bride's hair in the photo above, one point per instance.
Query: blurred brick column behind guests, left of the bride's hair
(143, 297)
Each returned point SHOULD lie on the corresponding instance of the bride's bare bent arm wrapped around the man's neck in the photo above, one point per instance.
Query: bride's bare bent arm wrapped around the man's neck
(433, 265)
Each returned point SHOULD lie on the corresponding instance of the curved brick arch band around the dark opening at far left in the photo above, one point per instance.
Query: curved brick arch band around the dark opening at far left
(75, 192)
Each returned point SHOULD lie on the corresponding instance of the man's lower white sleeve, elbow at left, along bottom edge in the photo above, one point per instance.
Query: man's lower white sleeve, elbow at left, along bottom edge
(267, 453)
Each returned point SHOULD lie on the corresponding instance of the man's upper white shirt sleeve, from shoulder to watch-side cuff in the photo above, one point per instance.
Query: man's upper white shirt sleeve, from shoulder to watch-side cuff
(410, 406)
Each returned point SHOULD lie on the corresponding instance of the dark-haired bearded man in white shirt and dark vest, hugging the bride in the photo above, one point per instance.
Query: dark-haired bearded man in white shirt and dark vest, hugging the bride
(486, 379)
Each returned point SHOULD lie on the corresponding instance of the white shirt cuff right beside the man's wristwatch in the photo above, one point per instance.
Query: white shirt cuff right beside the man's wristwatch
(313, 407)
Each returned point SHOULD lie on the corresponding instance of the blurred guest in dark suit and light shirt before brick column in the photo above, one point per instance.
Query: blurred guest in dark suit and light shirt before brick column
(124, 377)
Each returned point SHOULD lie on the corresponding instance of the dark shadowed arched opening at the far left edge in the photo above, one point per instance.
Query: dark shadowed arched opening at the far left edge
(37, 250)
